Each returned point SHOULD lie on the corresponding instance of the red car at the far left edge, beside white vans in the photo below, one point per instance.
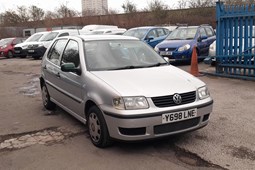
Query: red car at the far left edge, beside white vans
(7, 46)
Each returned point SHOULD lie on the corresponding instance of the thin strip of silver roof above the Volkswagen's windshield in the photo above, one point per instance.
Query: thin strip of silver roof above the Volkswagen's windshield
(105, 37)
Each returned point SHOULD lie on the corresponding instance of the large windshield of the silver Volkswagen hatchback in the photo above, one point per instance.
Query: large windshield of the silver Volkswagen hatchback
(120, 54)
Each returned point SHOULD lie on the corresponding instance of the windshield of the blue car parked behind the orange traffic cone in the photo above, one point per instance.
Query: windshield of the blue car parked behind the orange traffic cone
(183, 34)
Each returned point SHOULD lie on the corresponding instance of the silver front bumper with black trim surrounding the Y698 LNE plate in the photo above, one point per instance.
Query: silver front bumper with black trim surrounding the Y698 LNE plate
(149, 126)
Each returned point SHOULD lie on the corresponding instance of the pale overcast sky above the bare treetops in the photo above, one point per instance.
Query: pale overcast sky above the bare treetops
(74, 4)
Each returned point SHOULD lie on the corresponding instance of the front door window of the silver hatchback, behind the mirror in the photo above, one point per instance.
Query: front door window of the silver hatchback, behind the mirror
(71, 53)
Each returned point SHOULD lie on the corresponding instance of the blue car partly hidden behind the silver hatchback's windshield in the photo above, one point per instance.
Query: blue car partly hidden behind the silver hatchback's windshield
(151, 35)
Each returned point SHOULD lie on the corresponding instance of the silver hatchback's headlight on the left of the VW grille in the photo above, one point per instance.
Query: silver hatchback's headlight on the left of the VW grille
(130, 103)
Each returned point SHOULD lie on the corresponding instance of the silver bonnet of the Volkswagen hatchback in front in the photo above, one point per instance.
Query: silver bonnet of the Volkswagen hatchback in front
(149, 82)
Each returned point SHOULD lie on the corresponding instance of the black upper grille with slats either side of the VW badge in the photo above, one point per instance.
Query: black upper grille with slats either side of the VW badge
(167, 101)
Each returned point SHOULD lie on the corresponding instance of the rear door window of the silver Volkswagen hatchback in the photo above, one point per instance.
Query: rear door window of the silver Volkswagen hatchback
(56, 50)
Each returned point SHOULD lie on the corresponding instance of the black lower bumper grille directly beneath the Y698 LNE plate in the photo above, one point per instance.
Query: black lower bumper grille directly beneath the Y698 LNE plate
(176, 126)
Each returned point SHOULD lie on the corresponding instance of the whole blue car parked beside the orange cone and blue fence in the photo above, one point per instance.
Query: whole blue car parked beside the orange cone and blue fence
(178, 46)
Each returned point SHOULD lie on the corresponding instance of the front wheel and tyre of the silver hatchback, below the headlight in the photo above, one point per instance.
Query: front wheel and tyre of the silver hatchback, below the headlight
(97, 126)
